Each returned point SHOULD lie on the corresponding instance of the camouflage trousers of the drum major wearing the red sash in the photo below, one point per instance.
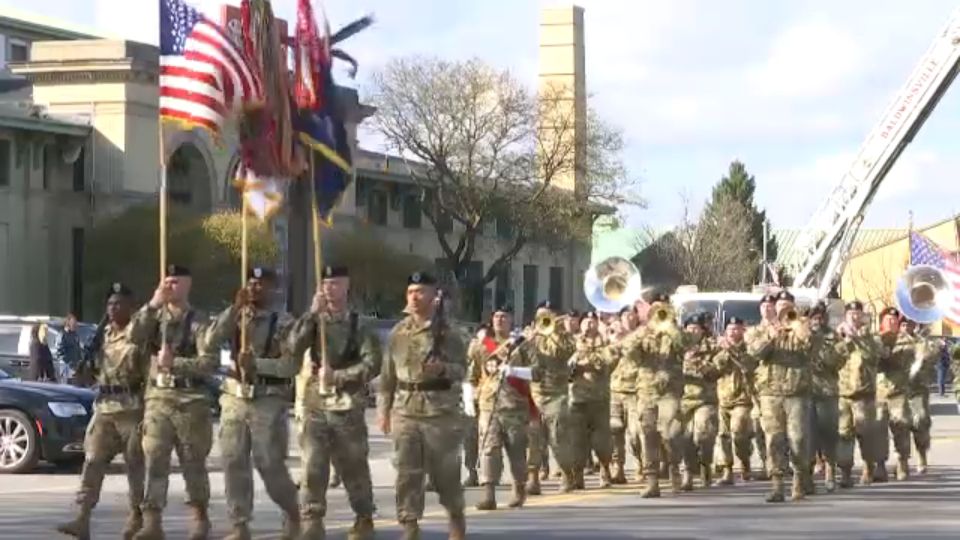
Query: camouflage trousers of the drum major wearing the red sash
(505, 430)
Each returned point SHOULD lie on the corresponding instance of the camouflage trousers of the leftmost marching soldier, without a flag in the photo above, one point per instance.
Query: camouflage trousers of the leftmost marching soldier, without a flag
(109, 434)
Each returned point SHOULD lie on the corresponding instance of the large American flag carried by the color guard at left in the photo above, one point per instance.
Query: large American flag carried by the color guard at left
(203, 74)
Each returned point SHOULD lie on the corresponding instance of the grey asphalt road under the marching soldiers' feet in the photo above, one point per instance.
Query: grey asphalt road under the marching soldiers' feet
(924, 507)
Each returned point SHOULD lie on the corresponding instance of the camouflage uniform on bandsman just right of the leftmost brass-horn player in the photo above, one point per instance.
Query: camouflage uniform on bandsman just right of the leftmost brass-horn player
(590, 406)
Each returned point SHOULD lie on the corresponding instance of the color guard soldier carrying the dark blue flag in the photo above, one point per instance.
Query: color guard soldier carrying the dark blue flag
(333, 427)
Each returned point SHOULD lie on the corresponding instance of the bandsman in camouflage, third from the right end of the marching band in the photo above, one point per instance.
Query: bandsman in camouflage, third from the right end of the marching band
(858, 392)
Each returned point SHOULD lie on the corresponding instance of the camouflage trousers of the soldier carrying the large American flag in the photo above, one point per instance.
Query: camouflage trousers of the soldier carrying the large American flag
(187, 428)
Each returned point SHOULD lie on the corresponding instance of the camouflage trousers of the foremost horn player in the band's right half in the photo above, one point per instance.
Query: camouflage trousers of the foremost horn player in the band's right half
(786, 423)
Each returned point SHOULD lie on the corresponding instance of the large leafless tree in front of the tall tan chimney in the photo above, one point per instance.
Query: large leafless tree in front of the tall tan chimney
(488, 148)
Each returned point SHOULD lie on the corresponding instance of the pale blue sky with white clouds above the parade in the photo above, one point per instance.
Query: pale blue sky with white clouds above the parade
(792, 89)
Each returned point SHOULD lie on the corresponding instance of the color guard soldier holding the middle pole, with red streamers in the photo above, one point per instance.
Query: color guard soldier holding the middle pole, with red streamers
(254, 400)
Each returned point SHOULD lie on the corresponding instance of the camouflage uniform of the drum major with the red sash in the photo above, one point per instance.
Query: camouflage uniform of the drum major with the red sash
(503, 420)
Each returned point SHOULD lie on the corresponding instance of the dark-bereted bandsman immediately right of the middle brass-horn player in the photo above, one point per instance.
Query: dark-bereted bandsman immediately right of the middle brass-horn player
(698, 408)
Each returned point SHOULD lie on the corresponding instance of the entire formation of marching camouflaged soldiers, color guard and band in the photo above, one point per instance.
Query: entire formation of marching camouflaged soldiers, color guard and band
(586, 388)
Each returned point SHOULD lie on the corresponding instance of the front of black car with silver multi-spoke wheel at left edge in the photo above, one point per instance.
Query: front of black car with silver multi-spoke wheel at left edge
(41, 421)
